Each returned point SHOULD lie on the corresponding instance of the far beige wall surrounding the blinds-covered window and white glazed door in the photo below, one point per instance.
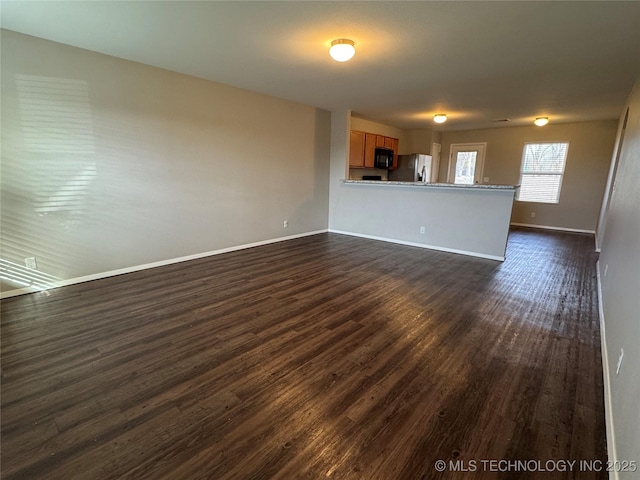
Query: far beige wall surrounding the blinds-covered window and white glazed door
(590, 149)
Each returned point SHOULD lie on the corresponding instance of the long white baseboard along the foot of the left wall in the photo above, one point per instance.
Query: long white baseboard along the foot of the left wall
(111, 273)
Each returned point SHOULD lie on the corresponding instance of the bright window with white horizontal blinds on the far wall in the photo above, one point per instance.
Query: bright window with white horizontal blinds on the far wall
(542, 171)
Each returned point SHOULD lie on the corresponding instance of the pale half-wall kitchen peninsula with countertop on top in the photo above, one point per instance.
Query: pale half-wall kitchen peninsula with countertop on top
(467, 219)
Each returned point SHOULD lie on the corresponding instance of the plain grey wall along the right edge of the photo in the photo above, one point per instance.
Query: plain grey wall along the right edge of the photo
(619, 266)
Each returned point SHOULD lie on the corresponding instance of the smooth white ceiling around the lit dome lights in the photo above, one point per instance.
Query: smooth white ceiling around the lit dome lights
(477, 61)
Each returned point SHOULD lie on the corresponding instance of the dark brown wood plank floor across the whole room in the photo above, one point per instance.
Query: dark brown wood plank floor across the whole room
(322, 357)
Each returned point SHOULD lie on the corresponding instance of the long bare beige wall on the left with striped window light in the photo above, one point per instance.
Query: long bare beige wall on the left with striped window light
(109, 164)
